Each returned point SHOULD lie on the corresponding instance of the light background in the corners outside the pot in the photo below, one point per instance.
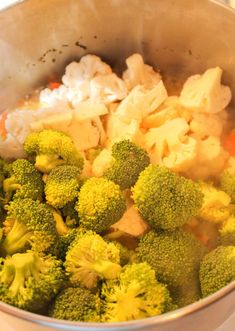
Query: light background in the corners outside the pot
(228, 325)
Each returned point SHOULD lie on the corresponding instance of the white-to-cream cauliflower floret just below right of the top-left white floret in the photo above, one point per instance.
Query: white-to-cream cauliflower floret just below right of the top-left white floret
(107, 89)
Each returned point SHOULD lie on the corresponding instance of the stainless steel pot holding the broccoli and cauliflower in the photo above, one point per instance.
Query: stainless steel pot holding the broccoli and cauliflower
(38, 38)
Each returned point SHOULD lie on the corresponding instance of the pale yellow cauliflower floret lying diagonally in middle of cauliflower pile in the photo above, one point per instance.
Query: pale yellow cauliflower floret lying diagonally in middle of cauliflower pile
(141, 102)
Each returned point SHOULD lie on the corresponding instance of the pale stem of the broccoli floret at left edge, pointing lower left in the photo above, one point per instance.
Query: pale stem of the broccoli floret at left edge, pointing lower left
(17, 238)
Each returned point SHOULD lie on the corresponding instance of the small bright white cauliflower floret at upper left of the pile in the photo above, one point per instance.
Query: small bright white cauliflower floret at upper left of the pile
(49, 98)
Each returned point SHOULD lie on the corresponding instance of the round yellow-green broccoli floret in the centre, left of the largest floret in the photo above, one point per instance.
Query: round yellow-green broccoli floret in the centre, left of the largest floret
(100, 204)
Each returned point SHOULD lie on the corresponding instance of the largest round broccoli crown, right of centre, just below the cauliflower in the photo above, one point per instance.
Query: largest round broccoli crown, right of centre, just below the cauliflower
(164, 199)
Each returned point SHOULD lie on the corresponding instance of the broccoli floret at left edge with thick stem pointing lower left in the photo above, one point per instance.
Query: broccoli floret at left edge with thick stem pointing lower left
(29, 224)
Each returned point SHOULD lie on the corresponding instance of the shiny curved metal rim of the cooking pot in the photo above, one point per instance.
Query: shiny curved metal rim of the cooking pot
(135, 324)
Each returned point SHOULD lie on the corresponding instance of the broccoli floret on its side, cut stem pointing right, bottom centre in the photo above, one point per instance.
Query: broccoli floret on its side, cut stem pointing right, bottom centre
(90, 258)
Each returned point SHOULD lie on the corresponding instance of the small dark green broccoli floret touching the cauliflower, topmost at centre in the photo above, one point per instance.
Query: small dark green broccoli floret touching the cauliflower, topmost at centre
(129, 161)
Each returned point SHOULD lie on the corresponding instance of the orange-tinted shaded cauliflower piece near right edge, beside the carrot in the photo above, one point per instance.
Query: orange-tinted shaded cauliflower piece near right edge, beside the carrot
(211, 159)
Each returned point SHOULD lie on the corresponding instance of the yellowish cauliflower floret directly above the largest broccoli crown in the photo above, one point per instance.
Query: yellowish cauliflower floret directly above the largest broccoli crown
(170, 146)
